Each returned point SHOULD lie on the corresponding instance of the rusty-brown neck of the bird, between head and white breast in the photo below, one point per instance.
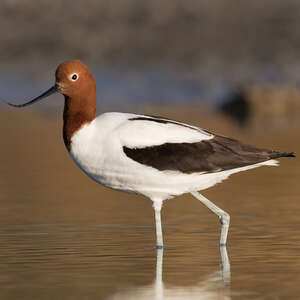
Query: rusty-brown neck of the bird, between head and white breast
(77, 113)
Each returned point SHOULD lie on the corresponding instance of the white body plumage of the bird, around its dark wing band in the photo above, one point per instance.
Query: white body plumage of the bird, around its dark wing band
(97, 149)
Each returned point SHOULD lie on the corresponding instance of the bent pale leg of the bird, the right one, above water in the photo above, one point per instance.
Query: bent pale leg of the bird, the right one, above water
(224, 216)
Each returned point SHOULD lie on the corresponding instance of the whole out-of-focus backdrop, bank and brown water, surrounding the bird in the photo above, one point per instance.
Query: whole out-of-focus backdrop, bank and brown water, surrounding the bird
(232, 67)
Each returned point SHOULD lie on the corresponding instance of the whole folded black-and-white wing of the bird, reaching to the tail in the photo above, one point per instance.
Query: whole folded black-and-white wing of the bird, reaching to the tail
(172, 146)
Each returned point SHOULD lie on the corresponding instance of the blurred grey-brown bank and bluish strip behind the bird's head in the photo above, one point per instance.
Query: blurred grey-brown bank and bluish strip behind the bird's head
(146, 52)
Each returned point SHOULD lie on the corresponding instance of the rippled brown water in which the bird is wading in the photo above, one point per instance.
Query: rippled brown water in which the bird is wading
(65, 237)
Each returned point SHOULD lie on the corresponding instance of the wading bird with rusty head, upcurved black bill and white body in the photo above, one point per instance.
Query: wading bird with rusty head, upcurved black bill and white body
(147, 155)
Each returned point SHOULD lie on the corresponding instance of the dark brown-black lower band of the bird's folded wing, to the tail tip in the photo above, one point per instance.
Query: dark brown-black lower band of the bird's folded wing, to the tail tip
(214, 155)
